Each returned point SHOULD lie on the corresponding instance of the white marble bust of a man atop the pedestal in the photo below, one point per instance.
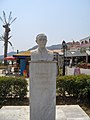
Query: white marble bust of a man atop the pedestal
(41, 53)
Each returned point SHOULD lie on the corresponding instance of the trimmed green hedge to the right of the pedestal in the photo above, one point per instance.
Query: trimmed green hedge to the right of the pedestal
(77, 86)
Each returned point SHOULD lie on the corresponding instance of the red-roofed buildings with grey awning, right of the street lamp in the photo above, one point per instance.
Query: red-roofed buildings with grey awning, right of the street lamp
(79, 51)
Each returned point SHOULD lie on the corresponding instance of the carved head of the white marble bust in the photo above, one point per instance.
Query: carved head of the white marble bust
(41, 40)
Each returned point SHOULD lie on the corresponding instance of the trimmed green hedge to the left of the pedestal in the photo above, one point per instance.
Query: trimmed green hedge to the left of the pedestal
(13, 87)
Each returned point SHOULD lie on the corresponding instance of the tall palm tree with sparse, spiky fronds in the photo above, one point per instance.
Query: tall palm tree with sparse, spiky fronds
(5, 38)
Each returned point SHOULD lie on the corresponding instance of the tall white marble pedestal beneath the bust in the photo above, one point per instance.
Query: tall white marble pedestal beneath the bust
(42, 90)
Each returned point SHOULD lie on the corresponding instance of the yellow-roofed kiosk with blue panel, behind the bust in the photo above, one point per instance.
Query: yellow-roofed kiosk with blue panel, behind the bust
(23, 59)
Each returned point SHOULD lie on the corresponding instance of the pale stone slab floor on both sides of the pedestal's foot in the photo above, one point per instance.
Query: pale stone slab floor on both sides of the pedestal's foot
(63, 112)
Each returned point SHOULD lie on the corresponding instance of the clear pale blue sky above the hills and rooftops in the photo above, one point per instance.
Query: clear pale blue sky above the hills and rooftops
(59, 19)
